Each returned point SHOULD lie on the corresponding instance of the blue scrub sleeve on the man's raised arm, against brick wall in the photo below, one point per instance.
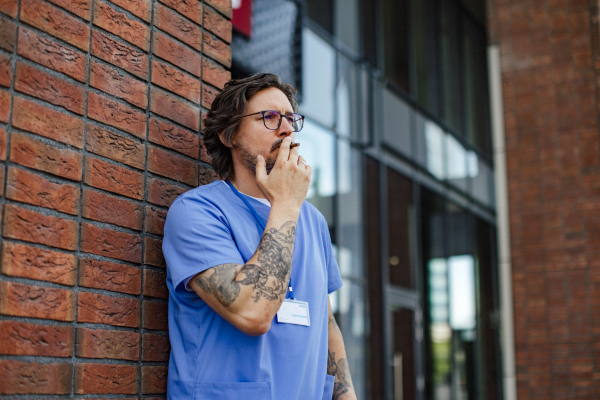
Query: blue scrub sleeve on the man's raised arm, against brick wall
(197, 237)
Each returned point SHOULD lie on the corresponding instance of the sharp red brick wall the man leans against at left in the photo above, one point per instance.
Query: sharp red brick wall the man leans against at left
(100, 110)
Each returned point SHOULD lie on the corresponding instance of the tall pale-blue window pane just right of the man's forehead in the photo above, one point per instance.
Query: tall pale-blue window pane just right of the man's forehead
(318, 77)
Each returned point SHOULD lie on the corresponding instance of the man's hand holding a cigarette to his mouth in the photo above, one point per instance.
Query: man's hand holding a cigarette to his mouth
(287, 184)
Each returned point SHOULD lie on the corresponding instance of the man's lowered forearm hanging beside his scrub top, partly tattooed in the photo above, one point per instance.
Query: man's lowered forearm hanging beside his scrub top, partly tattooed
(337, 363)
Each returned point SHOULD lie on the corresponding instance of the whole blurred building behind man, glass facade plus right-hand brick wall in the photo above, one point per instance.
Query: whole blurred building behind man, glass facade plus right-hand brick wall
(407, 103)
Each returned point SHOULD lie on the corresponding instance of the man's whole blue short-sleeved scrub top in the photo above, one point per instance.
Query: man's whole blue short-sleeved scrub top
(210, 358)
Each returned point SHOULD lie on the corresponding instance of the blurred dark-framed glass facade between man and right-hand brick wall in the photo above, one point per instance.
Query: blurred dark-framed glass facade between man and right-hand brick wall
(398, 133)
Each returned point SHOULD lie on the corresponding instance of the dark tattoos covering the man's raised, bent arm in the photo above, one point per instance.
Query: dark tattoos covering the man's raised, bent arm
(268, 278)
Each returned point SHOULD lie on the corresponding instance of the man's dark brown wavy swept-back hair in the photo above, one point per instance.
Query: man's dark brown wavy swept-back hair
(225, 114)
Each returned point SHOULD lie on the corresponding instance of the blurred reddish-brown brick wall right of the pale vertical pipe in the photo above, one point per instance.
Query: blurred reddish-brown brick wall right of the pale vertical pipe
(550, 71)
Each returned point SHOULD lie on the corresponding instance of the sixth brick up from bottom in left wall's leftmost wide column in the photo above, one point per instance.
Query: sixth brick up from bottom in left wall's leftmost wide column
(27, 187)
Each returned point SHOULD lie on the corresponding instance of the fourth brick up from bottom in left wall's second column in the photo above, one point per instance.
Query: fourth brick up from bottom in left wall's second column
(110, 276)
